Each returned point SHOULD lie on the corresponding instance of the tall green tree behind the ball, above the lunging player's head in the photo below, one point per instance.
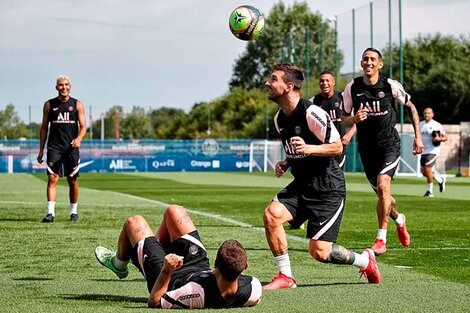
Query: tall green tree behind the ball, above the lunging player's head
(285, 38)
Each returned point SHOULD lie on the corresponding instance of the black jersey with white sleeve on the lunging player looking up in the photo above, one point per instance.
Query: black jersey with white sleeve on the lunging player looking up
(315, 127)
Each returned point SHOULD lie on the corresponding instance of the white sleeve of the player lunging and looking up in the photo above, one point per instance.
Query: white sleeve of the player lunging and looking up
(321, 125)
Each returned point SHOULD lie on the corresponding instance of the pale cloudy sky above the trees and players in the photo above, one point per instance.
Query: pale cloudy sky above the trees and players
(151, 53)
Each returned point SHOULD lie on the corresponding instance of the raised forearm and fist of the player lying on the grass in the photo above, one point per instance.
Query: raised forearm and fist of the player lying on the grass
(172, 262)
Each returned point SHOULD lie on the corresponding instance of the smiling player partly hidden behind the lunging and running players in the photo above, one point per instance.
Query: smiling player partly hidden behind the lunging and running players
(331, 101)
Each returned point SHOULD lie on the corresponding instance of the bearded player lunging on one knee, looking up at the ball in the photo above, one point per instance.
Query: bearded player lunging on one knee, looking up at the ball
(317, 193)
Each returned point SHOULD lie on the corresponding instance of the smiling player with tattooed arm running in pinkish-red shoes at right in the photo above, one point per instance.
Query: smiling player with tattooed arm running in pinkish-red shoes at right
(369, 102)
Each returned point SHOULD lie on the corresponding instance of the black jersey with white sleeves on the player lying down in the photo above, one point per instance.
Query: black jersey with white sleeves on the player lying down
(202, 291)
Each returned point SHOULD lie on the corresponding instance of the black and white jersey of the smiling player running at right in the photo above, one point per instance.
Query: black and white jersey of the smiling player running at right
(378, 130)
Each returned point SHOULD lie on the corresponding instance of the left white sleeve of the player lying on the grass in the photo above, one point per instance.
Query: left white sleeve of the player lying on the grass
(189, 296)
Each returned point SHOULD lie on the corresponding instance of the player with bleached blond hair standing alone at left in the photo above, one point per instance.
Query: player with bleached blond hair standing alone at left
(64, 120)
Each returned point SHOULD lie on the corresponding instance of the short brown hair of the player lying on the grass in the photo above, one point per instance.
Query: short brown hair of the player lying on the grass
(231, 259)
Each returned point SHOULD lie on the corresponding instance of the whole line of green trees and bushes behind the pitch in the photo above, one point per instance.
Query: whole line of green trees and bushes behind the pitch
(436, 74)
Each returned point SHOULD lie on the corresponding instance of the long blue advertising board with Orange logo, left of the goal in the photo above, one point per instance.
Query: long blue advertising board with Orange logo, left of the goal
(19, 156)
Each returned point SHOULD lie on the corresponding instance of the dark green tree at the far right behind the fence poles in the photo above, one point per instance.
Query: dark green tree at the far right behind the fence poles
(437, 74)
